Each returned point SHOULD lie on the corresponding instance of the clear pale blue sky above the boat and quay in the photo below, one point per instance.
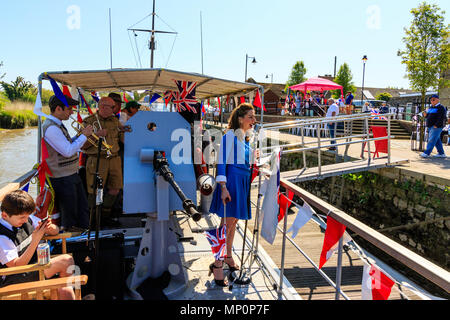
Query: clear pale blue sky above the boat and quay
(50, 35)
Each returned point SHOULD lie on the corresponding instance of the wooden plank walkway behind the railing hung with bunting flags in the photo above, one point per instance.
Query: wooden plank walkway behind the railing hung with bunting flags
(309, 284)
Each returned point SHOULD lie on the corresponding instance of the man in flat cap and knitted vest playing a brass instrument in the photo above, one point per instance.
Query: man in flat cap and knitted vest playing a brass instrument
(62, 160)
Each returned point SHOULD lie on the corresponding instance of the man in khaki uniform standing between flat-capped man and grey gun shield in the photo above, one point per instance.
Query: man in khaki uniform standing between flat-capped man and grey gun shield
(110, 169)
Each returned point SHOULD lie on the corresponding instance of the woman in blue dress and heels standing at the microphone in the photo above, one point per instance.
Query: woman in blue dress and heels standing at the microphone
(233, 182)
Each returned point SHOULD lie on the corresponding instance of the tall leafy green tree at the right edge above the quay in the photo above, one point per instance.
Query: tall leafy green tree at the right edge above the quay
(427, 51)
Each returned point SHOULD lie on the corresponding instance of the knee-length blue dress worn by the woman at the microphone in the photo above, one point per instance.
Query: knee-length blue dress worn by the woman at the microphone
(238, 180)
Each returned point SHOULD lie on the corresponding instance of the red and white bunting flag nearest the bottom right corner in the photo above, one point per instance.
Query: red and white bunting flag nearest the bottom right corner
(375, 284)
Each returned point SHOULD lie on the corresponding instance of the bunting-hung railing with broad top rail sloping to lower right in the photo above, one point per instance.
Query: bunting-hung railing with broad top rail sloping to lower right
(425, 268)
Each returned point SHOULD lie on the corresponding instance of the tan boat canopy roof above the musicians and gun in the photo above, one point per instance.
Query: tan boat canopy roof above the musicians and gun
(154, 80)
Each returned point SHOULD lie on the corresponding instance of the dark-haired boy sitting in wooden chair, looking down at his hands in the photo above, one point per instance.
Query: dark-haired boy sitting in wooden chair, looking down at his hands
(20, 234)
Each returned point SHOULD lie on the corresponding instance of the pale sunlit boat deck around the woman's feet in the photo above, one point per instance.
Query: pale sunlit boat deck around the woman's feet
(197, 256)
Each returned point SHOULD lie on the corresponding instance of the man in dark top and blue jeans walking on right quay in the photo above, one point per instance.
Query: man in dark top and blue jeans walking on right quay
(436, 119)
